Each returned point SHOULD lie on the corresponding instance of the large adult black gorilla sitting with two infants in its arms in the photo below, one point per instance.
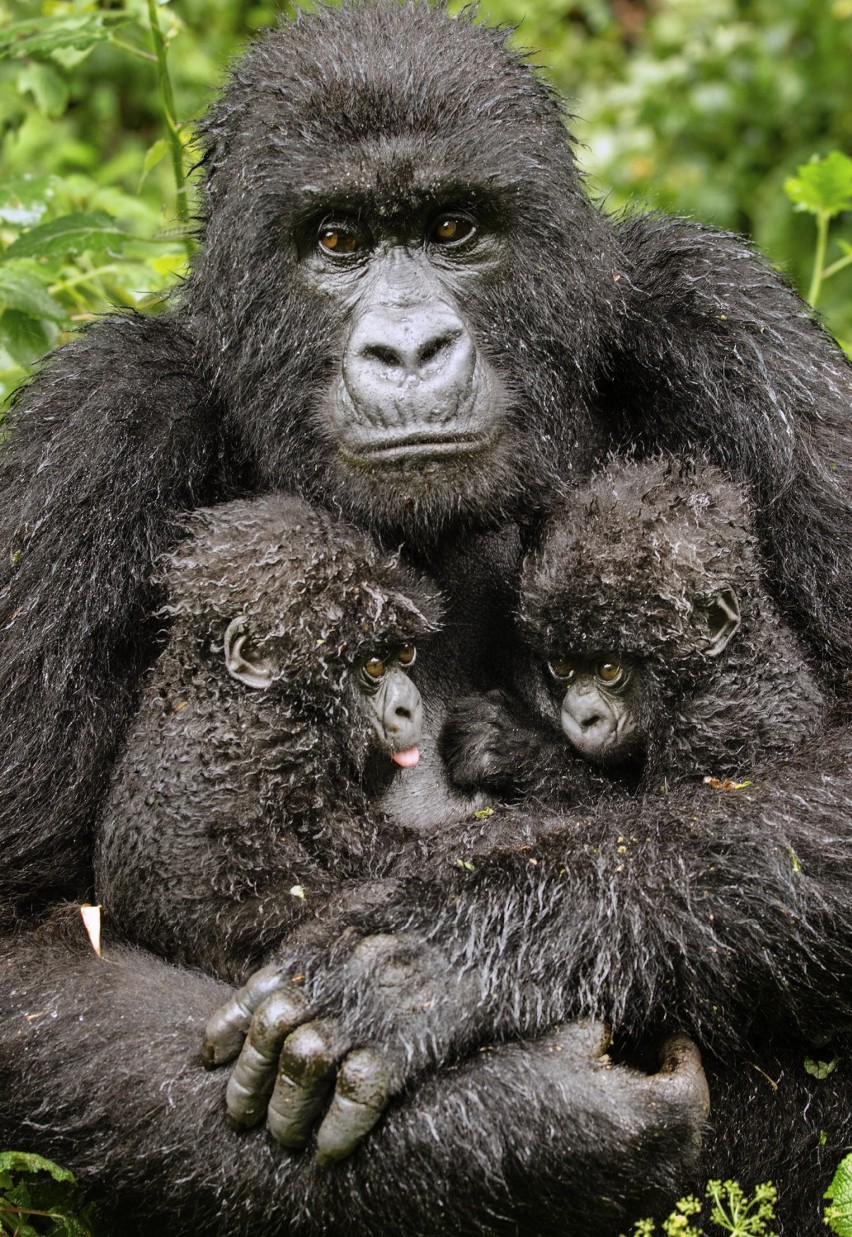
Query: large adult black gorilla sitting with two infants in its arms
(406, 309)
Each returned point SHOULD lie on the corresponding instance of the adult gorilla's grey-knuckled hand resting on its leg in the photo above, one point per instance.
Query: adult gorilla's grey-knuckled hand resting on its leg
(291, 1057)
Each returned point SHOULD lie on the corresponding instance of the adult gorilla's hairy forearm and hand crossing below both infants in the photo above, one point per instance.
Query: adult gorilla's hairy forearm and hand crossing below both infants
(712, 911)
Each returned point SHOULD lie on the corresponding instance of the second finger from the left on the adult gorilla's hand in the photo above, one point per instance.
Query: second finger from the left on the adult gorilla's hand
(254, 1074)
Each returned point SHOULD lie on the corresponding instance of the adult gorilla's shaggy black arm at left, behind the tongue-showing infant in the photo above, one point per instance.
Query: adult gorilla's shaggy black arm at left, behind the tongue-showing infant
(104, 447)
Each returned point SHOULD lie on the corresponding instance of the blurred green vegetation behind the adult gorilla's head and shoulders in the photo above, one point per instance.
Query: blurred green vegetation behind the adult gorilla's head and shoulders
(713, 111)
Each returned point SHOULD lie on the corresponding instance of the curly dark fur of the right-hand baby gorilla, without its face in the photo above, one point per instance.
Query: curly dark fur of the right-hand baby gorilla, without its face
(629, 566)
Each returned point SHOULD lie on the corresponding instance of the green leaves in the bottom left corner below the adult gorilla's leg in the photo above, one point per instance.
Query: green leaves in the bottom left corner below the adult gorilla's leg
(40, 1199)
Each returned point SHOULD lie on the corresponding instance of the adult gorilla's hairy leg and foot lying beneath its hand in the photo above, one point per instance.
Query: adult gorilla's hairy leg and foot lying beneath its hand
(100, 1059)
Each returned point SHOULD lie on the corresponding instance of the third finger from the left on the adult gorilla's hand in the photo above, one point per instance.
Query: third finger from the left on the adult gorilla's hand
(306, 1073)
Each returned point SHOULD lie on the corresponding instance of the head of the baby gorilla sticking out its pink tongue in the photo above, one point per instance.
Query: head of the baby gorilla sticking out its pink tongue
(273, 597)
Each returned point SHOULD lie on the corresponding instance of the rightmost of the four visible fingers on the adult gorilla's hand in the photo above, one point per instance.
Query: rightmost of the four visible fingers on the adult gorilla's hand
(359, 1100)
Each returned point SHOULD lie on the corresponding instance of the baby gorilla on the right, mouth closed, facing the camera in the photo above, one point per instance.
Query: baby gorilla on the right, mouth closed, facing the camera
(651, 644)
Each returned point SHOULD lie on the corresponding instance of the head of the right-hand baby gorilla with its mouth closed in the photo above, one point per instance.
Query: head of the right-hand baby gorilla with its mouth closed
(635, 591)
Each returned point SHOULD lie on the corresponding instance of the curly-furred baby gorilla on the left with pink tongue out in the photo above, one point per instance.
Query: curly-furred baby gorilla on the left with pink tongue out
(283, 697)
